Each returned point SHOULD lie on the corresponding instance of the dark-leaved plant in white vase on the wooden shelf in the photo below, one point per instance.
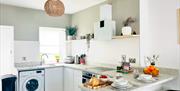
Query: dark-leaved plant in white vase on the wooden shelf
(127, 30)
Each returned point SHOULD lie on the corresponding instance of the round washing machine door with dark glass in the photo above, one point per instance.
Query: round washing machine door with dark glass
(33, 84)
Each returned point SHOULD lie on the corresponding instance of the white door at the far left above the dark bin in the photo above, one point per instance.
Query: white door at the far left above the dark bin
(6, 50)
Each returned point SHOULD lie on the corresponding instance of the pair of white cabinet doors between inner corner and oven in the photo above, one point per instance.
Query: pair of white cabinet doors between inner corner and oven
(72, 79)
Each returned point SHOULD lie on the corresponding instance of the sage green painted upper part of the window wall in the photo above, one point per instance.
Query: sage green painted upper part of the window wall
(27, 21)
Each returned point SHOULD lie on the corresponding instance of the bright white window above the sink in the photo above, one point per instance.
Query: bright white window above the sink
(52, 44)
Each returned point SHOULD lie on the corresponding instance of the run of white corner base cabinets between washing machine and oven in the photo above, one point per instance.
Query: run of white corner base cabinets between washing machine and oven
(62, 79)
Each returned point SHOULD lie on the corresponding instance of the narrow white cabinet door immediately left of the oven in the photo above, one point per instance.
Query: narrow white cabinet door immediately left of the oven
(77, 80)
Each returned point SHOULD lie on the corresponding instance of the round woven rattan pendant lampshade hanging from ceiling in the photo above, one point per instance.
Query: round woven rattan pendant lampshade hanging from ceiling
(54, 7)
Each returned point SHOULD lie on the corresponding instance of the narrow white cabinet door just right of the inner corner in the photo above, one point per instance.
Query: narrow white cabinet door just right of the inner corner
(68, 79)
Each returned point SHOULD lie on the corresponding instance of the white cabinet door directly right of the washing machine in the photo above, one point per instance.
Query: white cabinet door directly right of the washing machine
(54, 79)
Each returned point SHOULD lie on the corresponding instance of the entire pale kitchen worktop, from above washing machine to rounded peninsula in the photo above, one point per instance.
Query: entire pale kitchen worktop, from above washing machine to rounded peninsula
(162, 78)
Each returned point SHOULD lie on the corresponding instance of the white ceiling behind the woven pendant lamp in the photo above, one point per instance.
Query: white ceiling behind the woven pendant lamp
(71, 6)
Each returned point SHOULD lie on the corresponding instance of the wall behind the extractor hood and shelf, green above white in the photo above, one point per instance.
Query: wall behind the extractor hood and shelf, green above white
(108, 52)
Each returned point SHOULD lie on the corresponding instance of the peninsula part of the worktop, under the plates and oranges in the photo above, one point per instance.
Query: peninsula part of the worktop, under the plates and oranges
(137, 85)
